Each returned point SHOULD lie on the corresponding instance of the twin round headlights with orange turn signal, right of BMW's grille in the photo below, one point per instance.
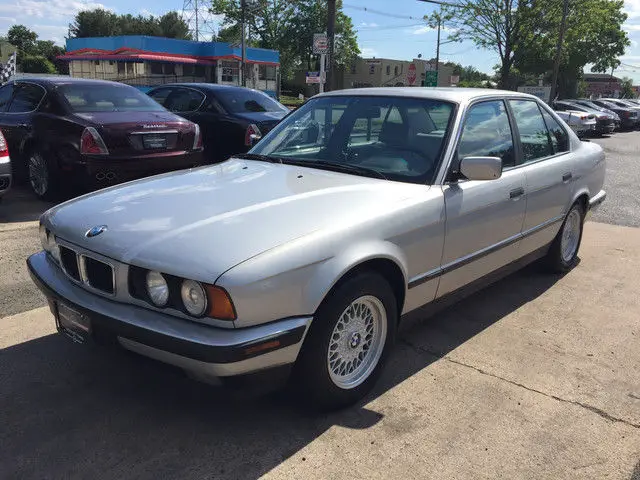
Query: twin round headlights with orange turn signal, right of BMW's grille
(193, 298)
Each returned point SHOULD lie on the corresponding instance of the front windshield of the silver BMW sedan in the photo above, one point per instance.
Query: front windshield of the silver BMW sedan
(397, 138)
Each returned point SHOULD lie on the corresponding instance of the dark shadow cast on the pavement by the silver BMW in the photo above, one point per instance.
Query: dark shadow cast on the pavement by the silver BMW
(71, 411)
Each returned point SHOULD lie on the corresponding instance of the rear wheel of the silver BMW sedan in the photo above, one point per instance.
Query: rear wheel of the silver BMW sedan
(563, 253)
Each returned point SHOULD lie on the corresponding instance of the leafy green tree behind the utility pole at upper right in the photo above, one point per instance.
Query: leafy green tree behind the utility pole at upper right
(594, 35)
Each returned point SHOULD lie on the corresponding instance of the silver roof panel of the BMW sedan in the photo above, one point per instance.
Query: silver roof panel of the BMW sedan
(451, 94)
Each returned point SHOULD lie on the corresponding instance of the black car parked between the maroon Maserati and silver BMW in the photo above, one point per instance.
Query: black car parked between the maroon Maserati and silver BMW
(231, 118)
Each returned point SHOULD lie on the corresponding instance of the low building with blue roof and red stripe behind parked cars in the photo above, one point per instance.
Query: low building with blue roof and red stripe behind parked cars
(149, 61)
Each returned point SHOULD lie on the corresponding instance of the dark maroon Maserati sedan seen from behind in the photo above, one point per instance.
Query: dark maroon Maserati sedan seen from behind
(72, 132)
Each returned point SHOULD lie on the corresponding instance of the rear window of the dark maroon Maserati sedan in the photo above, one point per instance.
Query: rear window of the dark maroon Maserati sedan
(104, 97)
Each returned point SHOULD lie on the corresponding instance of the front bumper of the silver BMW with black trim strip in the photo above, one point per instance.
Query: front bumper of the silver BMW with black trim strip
(198, 348)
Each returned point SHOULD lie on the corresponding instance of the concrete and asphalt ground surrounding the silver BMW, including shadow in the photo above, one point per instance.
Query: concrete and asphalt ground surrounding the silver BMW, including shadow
(534, 377)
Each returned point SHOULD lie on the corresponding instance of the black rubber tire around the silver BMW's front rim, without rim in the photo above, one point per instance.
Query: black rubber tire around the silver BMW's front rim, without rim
(311, 377)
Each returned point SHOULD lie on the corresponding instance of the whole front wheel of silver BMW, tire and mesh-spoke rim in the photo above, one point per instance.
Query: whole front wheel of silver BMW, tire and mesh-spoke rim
(348, 343)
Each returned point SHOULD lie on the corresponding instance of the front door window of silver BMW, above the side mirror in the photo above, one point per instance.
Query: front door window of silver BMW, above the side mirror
(487, 133)
